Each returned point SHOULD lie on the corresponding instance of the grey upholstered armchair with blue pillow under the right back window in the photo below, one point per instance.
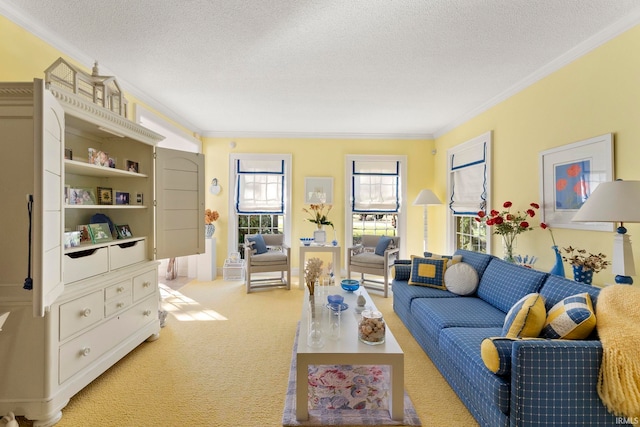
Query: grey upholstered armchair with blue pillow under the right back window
(374, 256)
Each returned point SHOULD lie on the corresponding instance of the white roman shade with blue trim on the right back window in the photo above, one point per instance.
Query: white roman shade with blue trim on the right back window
(375, 186)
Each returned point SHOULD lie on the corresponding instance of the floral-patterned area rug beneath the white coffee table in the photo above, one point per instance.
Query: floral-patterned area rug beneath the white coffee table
(358, 396)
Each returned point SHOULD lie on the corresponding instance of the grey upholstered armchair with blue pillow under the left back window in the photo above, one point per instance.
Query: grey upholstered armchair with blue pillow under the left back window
(265, 253)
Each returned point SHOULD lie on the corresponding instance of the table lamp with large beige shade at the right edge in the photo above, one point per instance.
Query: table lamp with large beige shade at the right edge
(615, 201)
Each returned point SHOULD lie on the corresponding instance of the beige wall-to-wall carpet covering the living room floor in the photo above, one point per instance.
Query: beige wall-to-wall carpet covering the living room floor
(223, 360)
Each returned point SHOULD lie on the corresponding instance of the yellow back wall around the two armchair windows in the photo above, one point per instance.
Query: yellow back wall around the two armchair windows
(318, 157)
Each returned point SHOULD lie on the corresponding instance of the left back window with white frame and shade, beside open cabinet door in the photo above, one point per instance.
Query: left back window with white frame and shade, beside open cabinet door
(260, 197)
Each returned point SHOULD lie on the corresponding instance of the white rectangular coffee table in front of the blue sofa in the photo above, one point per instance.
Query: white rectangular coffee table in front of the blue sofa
(348, 350)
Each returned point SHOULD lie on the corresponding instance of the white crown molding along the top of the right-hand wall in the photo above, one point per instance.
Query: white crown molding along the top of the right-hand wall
(576, 52)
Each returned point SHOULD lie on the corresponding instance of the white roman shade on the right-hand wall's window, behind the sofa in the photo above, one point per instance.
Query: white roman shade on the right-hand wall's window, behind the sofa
(468, 171)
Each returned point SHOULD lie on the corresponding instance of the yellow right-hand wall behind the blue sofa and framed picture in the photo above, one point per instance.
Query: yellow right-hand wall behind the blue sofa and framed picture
(596, 94)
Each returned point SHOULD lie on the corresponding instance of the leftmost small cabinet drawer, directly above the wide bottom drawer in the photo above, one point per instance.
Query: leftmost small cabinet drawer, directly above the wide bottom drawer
(80, 313)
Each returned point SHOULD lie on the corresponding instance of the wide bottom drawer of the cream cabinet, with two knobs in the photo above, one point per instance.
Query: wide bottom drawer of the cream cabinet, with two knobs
(81, 352)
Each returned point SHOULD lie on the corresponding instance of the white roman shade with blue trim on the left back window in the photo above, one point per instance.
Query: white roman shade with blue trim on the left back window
(259, 186)
